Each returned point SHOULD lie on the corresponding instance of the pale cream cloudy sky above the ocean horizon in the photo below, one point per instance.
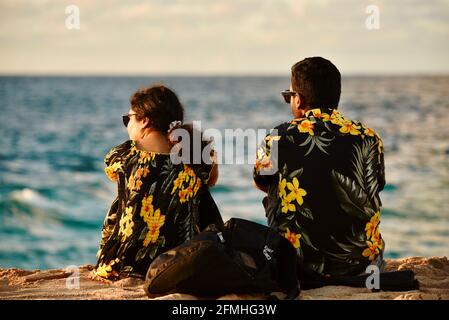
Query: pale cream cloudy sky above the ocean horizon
(222, 37)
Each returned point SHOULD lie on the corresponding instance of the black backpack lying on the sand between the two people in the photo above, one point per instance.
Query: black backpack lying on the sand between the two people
(243, 257)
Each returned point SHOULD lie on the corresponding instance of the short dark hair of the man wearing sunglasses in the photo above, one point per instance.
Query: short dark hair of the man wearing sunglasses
(318, 81)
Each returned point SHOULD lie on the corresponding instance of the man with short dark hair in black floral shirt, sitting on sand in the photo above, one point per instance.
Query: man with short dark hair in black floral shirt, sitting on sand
(324, 179)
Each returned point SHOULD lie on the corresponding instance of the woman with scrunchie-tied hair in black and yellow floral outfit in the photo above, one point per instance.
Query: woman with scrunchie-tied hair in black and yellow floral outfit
(159, 204)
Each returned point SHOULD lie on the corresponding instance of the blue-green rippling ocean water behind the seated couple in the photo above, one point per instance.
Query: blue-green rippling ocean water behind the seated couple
(55, 131)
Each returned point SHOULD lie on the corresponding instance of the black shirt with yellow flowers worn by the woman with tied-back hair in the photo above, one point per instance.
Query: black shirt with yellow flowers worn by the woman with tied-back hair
(157, 208)
